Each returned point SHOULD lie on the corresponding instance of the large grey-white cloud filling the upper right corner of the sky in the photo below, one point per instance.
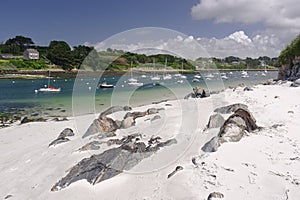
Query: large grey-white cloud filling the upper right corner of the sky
(280, 18)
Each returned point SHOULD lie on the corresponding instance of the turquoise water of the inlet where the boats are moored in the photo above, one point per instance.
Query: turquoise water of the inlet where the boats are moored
(82, 96)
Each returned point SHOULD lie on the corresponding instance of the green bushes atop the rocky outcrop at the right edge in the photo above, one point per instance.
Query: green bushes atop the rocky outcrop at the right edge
(288, 54)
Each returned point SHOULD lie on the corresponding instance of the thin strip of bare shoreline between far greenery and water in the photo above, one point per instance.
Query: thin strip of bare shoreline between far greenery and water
(58, 73)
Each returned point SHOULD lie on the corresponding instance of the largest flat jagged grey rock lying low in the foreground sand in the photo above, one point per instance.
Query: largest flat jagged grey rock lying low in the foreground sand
(106, 165)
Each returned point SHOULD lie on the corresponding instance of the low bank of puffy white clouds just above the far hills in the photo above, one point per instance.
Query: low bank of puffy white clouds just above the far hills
(236, 44)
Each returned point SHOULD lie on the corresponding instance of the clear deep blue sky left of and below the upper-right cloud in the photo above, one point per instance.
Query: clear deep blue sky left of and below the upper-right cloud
(91, 20)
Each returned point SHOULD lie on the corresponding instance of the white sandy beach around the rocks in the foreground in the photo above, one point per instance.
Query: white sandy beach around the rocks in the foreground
(263, 165)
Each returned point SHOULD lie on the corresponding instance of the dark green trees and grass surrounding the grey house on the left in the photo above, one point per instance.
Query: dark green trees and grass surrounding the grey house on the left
(58, 53)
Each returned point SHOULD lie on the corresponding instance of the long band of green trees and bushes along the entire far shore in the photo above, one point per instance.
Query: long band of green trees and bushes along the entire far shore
(60, 55)
